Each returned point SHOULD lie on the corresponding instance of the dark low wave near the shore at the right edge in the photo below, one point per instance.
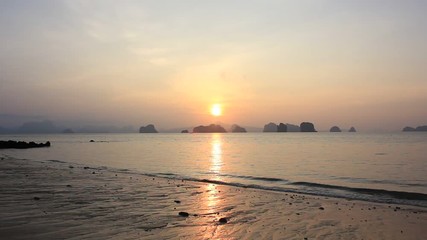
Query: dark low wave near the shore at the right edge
(369, 191)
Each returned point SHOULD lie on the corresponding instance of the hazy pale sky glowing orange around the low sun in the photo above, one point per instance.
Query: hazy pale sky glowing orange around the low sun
(347, 63)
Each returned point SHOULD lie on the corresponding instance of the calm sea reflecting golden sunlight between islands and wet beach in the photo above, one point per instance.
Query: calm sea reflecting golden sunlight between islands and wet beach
(375, 167)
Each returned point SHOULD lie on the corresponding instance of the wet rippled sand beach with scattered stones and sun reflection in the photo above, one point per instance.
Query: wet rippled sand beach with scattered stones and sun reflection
(56, 200)
